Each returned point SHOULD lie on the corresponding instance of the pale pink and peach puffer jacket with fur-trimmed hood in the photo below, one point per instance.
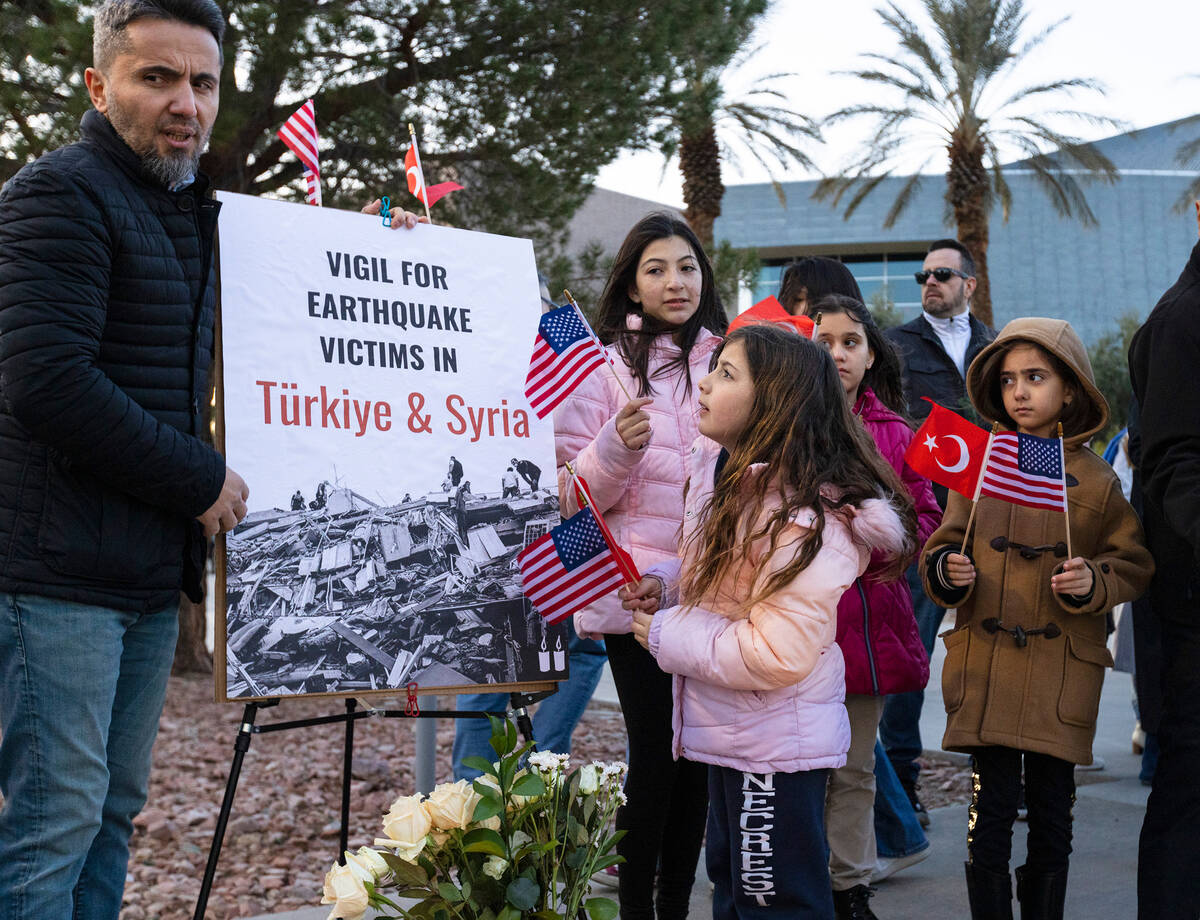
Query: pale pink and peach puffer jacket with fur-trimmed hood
(761, 690)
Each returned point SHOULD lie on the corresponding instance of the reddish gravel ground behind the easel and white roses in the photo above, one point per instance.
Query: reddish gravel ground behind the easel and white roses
(283, 833)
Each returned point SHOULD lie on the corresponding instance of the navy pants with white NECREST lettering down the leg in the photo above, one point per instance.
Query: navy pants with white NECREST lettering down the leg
(766, 851)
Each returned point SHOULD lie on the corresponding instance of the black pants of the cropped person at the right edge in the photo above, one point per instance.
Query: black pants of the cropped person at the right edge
(1169, 855)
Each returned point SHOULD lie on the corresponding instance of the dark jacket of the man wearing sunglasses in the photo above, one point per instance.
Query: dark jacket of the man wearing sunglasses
(927, 369)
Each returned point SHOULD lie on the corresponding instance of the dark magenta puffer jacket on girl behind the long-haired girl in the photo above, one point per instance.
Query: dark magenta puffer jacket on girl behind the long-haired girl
(877, 628)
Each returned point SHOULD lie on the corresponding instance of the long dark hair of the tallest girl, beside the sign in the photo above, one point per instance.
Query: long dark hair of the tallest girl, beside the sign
(616, 305)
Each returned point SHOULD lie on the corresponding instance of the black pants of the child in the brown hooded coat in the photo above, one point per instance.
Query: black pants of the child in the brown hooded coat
(1049, 797)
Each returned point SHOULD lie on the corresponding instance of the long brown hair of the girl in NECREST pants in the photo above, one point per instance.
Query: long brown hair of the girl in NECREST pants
(815, 455)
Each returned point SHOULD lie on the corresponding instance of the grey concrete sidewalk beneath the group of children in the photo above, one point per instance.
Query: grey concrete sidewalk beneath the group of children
(1109, 809)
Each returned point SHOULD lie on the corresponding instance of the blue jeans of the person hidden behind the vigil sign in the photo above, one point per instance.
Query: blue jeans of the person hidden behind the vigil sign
(556, 717)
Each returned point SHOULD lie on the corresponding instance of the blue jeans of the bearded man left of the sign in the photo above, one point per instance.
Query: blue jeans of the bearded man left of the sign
(81, 693)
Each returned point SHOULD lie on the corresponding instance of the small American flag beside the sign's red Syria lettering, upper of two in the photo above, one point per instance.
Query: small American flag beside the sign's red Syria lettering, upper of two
(565, 353)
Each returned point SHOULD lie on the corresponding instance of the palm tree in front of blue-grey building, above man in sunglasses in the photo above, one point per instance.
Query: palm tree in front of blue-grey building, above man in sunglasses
(951, 98)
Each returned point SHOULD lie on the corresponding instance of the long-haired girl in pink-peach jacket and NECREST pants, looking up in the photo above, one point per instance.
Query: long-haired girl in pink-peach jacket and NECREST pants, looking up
(788, 501)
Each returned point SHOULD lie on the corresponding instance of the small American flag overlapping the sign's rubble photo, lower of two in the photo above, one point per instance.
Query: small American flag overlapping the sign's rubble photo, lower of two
(569, 568)
